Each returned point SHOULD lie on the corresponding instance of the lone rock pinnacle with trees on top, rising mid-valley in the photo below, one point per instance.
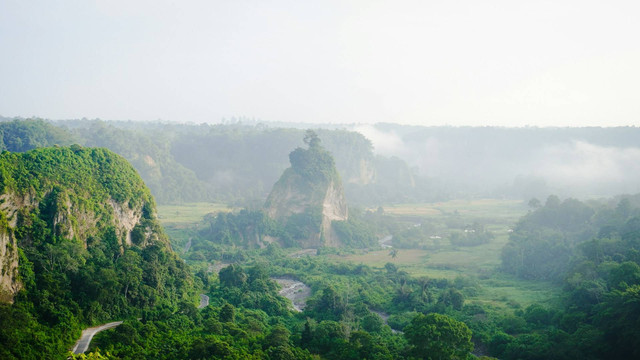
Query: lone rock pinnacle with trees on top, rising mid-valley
(308, 197)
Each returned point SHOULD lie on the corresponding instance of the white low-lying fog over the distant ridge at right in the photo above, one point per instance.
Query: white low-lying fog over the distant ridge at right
(585, 162)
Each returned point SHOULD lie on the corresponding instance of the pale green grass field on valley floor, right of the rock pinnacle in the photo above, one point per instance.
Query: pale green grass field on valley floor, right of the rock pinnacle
(480, 262)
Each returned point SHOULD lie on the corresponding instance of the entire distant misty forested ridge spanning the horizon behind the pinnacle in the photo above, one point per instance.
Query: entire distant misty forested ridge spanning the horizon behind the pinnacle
(238, 163)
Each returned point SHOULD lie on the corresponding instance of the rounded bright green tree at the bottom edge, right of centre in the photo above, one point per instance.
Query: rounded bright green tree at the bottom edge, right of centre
(437, 337)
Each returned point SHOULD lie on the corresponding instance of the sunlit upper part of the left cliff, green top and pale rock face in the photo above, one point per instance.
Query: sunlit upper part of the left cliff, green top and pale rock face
(73, 201)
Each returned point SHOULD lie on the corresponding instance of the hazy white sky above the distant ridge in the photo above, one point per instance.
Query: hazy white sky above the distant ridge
(509, 63)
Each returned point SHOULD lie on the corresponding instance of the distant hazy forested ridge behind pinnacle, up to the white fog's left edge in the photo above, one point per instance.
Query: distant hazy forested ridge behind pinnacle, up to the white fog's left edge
(233, 163)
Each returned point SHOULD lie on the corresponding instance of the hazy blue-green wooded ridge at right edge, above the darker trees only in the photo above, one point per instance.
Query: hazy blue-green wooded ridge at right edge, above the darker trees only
(544, 242)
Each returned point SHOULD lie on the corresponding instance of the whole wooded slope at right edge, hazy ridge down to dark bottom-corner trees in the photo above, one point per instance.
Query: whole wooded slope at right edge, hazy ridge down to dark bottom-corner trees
(593, 250)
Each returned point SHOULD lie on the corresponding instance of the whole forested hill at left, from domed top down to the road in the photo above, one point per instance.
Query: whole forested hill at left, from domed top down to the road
(79, 245)
